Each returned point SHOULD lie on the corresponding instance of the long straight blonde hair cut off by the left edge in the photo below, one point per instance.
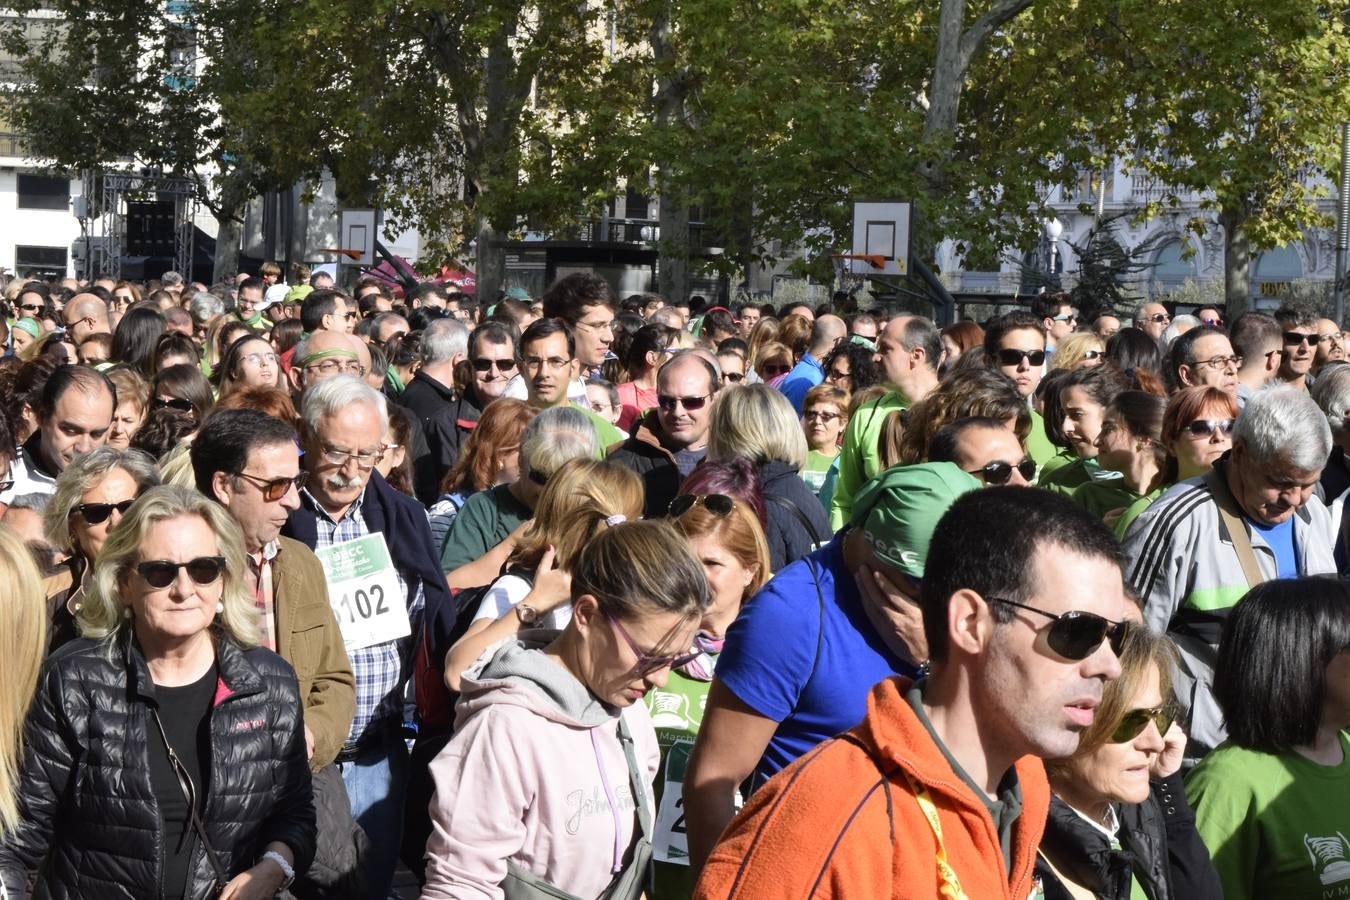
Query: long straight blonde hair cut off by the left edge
(24, 621)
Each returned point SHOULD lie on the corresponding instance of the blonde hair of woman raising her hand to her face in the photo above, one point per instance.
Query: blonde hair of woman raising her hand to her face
(574, 507)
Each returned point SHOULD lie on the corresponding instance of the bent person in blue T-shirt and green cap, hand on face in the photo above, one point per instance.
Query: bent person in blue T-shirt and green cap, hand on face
(799, 663)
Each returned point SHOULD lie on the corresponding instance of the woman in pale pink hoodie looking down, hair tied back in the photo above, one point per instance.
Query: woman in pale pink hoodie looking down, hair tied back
(546, 790)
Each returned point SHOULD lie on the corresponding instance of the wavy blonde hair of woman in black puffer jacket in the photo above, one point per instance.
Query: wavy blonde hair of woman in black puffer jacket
(101, 616)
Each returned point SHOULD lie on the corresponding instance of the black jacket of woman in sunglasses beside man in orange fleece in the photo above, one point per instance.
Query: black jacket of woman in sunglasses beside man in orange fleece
(1160, 847)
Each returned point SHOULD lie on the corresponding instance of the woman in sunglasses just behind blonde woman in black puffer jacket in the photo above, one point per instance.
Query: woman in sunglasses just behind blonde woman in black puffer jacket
(92, 496)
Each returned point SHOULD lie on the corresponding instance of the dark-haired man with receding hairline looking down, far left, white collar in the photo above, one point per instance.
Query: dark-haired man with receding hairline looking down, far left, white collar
(75, 414)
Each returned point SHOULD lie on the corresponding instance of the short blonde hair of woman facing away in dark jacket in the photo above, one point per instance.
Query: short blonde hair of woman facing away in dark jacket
(758, 423)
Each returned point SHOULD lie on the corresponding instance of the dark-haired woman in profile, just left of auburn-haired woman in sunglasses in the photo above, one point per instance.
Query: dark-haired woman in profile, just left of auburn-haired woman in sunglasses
(1131, 443)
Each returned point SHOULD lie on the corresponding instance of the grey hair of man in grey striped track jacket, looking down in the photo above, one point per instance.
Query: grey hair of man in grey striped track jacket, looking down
(1285, 426)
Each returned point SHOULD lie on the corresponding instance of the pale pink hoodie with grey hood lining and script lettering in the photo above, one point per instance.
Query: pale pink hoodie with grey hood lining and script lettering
(534, 775)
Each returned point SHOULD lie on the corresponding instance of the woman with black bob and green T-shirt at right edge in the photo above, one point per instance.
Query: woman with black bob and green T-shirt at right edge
(1274, 801)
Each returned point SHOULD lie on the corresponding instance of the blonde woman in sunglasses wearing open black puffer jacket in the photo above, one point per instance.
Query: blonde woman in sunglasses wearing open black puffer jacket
(165, 752)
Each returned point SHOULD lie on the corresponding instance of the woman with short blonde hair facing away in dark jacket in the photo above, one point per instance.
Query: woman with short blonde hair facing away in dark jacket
(757, 423)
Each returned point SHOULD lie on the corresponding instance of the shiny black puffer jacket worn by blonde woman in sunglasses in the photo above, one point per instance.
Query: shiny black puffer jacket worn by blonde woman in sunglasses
(90, 817)
